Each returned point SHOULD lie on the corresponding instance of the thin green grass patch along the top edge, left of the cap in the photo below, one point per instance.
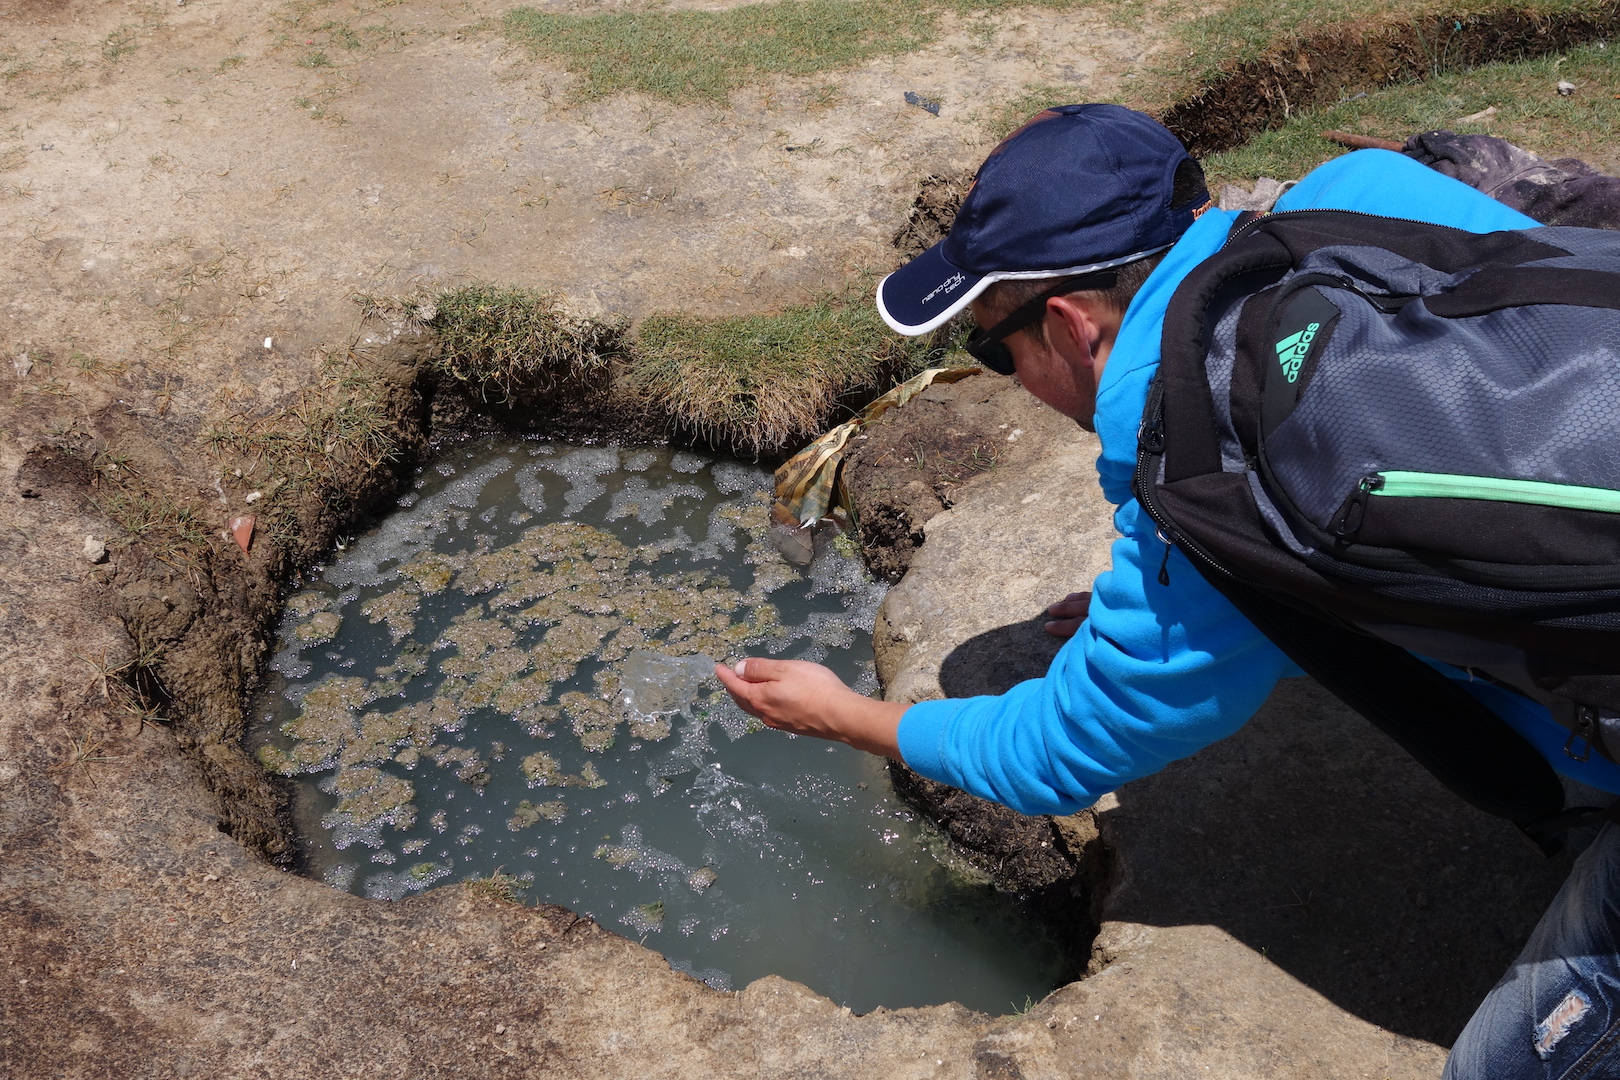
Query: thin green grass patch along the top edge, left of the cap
(706, 56)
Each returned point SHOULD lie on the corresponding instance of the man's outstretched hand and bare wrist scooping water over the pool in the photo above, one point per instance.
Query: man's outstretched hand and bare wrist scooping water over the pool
(811, 700)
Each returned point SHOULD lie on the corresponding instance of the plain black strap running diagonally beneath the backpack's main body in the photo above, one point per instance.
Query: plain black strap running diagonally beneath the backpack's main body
(1465, 746)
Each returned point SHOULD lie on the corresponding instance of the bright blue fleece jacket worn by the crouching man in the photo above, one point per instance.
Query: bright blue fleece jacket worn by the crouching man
(1159, 673)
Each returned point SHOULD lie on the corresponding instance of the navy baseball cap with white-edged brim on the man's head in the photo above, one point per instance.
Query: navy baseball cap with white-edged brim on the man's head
(1078, 189)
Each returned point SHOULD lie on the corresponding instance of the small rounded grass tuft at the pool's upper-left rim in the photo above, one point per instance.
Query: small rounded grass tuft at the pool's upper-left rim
(521, 339)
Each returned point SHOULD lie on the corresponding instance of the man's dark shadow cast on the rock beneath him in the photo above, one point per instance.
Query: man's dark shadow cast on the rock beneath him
(1318, 843)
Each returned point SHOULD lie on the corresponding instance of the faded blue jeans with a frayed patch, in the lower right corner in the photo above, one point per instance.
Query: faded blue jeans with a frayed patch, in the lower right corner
(1556, 1014)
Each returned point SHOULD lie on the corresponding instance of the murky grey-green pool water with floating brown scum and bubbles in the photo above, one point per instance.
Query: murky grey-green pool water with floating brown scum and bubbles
(513, 674)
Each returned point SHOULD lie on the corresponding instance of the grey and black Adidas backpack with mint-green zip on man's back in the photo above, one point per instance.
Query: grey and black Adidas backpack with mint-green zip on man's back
(1389, 441)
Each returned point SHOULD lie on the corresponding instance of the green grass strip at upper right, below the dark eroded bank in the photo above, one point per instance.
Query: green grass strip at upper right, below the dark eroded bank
(1530, 113)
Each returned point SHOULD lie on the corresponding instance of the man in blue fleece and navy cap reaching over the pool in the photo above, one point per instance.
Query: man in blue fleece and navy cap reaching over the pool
(1068, 249)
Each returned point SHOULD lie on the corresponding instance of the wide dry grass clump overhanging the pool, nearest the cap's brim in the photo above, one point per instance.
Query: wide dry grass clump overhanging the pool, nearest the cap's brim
(769, 383)
